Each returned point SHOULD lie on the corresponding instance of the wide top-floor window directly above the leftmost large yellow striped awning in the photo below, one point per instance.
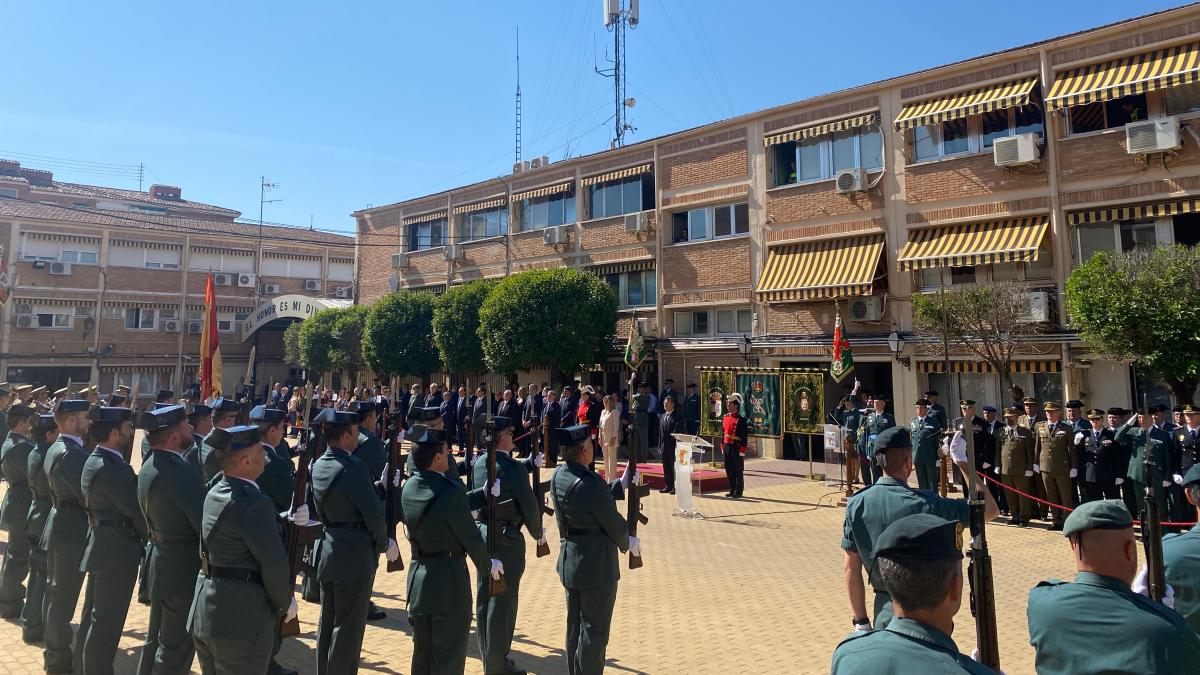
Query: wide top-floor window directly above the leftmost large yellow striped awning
(824, 157)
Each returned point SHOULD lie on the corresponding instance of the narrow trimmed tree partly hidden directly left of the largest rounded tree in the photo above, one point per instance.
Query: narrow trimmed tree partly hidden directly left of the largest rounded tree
(457, 327)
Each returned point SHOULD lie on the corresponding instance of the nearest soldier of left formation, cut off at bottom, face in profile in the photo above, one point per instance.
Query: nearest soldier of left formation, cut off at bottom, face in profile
(244, 590)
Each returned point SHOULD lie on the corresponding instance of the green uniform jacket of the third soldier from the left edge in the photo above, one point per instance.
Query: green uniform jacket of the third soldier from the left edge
(67, 527)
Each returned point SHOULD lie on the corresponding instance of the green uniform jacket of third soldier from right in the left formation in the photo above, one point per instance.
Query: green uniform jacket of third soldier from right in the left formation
(437, 515)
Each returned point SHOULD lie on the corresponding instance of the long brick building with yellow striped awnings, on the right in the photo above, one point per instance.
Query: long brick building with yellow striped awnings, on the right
(745, 234)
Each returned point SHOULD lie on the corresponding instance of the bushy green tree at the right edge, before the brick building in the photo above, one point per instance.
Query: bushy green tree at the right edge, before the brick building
(1142, 307)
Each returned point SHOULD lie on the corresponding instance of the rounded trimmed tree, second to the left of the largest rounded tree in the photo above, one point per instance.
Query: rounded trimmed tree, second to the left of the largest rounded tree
(399, 339)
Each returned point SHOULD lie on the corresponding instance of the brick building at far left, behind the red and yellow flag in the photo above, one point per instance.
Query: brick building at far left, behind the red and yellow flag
(107, 285)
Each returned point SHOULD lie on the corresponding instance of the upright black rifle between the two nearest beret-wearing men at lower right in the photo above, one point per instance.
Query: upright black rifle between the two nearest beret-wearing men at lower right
(983, 598)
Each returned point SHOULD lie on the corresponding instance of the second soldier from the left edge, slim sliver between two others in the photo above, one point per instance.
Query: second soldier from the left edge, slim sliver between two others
(44, 434)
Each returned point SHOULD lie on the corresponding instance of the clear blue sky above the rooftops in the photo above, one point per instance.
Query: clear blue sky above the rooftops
(376, 103)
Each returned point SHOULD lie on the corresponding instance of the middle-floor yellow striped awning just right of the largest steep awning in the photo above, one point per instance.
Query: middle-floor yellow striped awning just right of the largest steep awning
(974, 244)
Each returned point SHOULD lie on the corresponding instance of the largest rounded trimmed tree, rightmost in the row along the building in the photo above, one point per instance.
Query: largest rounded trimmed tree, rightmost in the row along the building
(560, 319)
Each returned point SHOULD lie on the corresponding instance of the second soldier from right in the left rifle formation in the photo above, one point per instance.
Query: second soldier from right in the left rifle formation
(515, 507)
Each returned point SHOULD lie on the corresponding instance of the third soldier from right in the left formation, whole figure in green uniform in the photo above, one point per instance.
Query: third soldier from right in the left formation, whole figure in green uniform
(437, 513)
